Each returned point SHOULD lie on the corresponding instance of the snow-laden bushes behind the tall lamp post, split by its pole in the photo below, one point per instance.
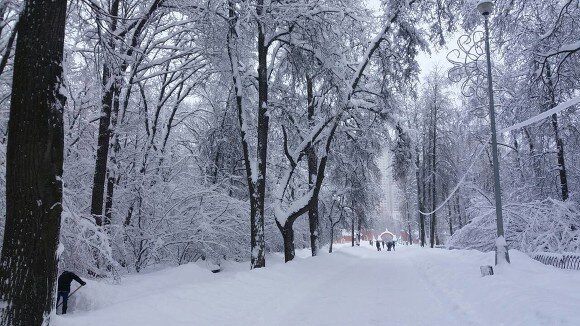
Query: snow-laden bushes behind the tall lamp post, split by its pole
(548, 225)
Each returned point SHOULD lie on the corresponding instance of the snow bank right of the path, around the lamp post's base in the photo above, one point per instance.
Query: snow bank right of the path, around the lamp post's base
(524, 292)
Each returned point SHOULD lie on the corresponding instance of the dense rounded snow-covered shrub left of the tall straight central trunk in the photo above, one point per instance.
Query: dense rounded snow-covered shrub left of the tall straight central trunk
(183, 220)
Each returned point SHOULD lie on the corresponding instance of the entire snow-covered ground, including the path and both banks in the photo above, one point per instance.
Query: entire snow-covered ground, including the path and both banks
(352, 286)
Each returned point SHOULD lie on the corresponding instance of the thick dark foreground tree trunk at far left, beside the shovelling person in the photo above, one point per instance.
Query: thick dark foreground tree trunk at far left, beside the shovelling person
(34, 163)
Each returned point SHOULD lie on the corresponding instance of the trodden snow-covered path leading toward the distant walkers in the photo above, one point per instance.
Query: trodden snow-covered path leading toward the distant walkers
(395, 294)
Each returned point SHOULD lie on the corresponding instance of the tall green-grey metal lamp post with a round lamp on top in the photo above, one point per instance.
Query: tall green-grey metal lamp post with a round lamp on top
(501, 252)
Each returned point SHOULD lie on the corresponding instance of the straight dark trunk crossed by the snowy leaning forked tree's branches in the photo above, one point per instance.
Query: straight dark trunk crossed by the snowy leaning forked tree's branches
(313, 218)
